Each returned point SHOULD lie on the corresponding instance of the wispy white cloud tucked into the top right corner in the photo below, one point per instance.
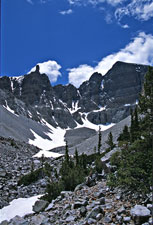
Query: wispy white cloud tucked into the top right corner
(140, 9)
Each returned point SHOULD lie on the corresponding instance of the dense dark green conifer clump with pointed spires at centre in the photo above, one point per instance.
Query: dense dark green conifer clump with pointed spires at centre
(72, 173)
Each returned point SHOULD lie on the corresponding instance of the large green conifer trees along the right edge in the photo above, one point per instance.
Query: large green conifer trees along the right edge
(134, 161)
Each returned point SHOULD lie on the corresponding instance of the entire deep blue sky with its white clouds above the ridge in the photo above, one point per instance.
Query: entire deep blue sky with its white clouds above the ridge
(73, 38)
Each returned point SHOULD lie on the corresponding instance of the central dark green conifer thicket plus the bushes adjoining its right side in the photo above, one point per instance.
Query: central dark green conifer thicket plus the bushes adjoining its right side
(73, 172)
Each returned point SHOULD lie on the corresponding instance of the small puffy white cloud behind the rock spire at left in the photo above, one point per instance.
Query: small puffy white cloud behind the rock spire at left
(50, 68)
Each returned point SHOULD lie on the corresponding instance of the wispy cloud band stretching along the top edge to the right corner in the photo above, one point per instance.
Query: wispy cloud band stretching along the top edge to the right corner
(139, 9)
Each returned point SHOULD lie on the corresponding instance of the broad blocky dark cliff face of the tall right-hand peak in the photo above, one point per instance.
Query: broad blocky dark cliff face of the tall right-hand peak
(123, 83)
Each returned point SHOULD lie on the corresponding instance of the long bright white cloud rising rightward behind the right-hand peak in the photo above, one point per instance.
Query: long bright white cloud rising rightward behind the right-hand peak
(139, 50)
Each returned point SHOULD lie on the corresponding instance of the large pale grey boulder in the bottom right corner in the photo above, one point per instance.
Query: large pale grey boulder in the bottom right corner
(140, 214)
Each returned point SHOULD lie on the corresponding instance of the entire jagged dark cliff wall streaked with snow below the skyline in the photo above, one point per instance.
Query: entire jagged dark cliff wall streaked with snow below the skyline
(106, 98)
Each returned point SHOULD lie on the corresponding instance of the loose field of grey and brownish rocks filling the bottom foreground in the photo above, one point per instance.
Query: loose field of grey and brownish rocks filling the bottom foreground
(93, 204)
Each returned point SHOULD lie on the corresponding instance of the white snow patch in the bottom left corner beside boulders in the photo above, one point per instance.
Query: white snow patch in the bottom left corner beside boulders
(18, 207)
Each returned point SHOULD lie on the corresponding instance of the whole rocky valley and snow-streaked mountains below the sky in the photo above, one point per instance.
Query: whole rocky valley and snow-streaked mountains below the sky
(50, 132)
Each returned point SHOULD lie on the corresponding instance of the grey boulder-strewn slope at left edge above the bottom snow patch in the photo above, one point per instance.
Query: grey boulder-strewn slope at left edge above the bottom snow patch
(16, 160)
